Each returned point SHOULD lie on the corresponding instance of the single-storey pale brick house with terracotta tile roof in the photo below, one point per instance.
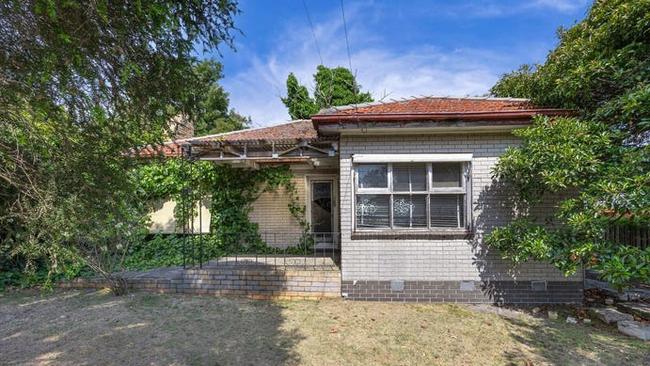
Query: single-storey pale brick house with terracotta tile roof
(404, 189)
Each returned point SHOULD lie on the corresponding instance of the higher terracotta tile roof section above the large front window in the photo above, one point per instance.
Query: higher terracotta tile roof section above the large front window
(435, 108)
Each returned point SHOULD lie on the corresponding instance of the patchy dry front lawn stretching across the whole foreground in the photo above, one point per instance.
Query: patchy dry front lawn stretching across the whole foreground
(95, 328)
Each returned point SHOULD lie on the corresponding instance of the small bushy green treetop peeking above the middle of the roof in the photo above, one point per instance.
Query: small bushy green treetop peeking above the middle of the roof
(333, 87)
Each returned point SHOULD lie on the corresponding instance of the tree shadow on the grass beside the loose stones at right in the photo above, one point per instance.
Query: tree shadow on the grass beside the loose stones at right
(559, 343)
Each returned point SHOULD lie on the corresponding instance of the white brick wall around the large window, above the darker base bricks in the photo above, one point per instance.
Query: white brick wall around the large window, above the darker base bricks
(435, 260)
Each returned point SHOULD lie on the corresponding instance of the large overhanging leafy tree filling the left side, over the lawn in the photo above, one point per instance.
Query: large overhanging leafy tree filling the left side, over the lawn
(81, 85)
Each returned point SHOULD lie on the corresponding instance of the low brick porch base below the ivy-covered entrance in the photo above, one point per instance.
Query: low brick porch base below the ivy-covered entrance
(265, 282)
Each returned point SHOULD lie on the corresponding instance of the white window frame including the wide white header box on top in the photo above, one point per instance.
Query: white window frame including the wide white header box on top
(428, 160)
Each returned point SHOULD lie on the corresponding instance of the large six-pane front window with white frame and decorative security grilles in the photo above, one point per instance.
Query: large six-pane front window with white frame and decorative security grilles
(411, 195)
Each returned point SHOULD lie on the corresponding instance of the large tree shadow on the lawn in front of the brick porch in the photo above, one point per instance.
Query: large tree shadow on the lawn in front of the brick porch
(95, 328)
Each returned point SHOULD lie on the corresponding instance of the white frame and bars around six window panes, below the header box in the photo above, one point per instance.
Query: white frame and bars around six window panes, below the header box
(464, 189)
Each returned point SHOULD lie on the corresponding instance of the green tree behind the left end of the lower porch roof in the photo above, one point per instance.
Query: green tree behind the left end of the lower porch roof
(212, 114)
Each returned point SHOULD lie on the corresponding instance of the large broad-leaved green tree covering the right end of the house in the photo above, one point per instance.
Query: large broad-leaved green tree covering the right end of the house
(598, 160)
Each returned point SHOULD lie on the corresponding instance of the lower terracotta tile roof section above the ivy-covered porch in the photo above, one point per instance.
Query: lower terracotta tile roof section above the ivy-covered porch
(291, 131)
